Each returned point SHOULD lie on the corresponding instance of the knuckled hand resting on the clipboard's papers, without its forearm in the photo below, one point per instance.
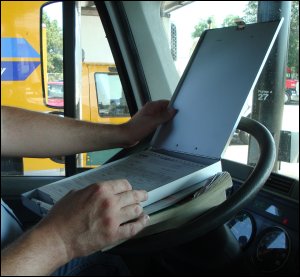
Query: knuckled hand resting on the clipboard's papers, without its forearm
(90, 219)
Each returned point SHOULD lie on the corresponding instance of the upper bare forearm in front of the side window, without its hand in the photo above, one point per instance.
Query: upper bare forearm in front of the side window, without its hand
(51, 135)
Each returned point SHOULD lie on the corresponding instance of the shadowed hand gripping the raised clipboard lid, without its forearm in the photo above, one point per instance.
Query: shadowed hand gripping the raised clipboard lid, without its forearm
(145, 121)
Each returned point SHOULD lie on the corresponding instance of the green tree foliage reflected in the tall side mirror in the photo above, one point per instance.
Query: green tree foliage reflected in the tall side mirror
(54, 45)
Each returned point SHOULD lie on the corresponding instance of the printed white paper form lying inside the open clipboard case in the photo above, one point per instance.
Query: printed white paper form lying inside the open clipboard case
(147, 170)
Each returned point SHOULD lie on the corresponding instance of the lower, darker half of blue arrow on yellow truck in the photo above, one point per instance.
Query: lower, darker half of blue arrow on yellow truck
(17, 71)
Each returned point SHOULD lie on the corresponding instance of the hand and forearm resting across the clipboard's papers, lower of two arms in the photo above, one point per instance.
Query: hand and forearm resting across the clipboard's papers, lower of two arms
(81, 223)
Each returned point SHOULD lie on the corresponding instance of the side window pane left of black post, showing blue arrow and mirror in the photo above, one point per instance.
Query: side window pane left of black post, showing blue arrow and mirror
(30, 52)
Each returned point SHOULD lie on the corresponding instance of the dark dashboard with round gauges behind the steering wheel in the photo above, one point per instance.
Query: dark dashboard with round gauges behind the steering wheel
(267, 231)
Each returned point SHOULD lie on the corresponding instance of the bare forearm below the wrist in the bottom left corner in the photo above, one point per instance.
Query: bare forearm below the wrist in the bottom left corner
(37, 253)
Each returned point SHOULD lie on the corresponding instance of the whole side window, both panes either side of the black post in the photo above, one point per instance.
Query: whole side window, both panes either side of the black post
(32, 77)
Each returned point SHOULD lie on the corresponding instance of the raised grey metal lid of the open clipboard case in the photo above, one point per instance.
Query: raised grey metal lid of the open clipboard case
(212, 92)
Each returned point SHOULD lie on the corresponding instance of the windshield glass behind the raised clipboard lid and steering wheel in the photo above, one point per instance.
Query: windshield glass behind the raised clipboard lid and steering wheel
(184, 25)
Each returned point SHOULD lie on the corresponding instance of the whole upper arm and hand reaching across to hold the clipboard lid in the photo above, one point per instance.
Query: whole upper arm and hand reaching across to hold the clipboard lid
(62, 136)
